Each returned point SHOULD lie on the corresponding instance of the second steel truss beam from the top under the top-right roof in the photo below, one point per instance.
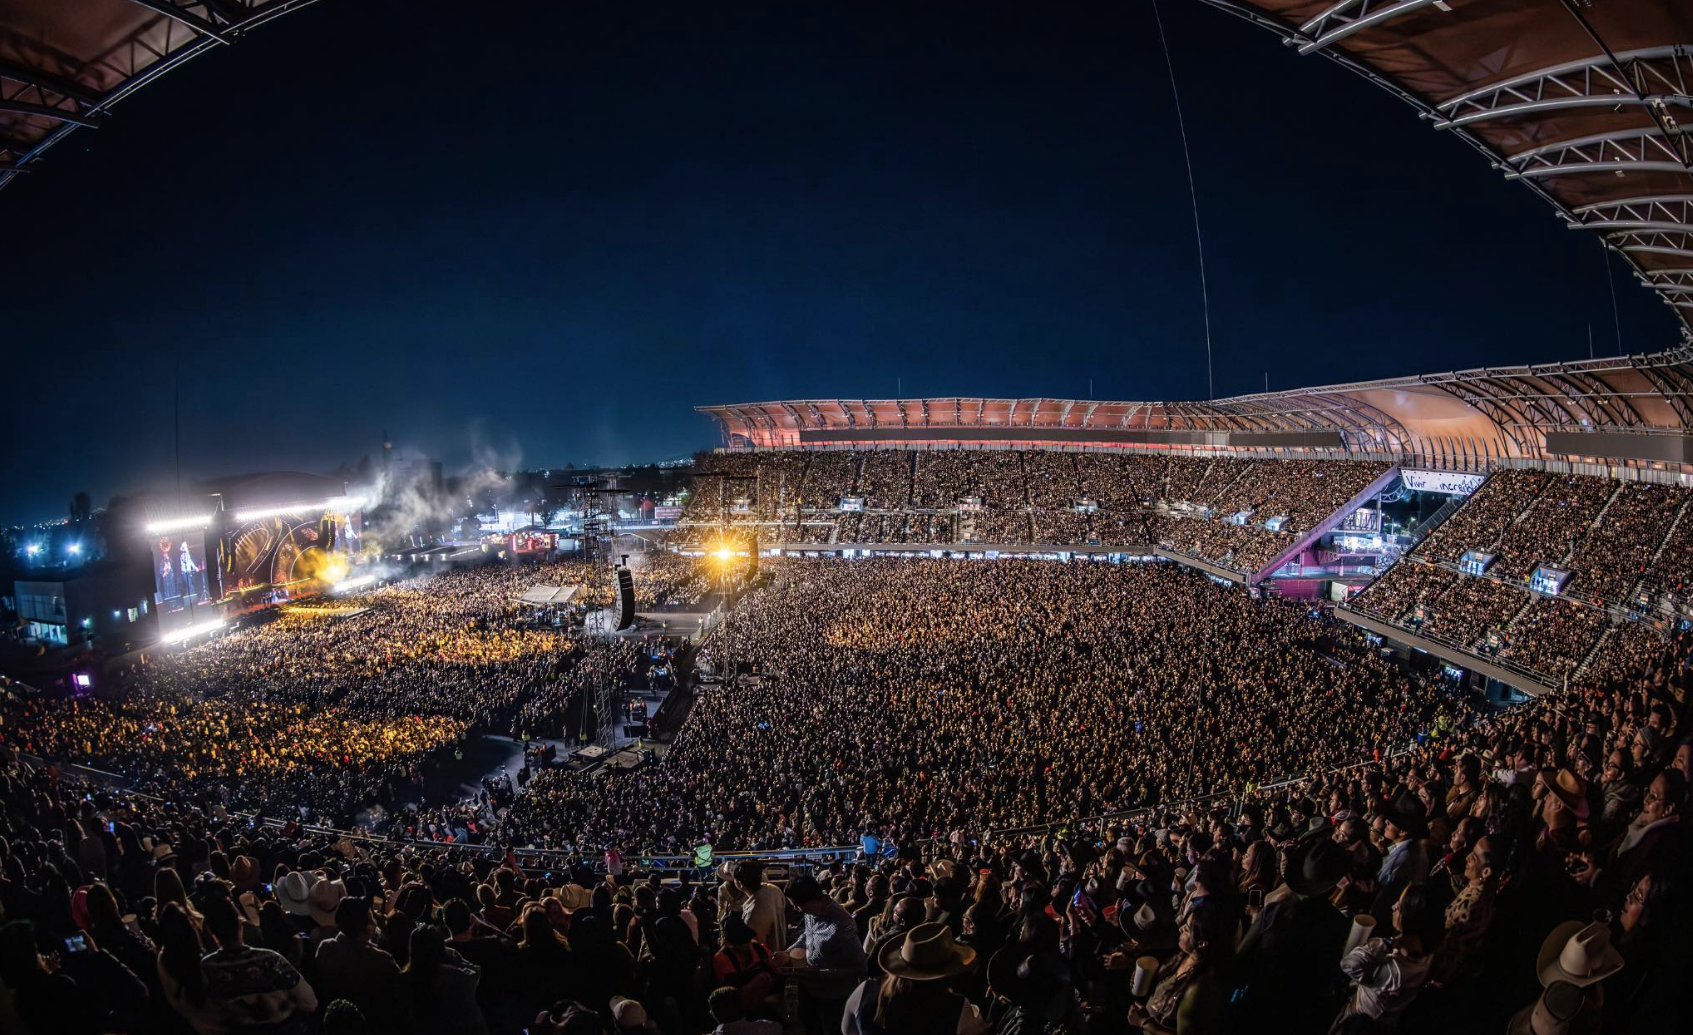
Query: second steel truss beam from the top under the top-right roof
(1653, 77)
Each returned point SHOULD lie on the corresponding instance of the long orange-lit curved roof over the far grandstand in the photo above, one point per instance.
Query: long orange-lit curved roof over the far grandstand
(1635, 411)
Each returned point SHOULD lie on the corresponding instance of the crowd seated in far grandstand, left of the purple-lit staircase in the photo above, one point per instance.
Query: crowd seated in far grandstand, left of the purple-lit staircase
(1237, 512)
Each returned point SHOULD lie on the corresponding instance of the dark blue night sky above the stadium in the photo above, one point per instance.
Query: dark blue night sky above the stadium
(539, 233)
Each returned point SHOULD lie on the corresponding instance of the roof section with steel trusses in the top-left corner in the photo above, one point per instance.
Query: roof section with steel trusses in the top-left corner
(67, 64)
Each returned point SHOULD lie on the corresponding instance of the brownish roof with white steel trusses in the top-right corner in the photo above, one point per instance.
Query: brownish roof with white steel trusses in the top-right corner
(1585, 102)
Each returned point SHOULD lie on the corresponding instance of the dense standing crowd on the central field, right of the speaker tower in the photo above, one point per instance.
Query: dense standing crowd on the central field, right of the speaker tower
(927, 695)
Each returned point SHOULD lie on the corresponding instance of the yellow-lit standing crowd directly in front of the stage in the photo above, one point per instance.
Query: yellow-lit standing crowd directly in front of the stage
(333, 709)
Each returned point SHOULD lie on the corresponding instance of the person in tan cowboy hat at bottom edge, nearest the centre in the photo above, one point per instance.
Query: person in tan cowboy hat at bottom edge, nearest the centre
(915, 990)
